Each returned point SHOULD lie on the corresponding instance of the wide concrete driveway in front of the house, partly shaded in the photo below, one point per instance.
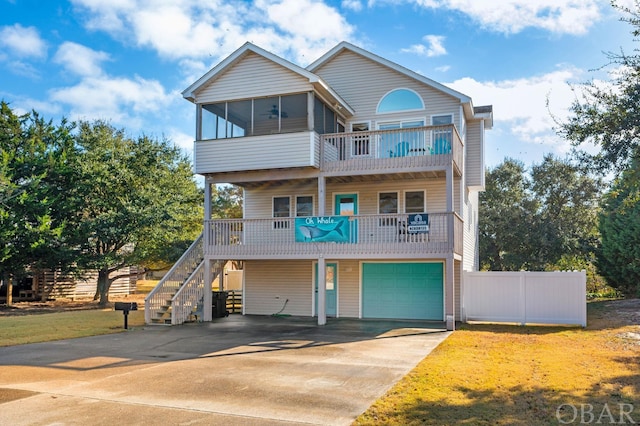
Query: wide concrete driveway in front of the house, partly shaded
(240, 370)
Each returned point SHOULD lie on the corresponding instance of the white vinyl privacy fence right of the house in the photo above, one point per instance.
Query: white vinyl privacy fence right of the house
(525, 297)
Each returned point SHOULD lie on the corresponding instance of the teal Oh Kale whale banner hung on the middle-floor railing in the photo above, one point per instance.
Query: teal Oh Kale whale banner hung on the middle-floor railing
(315, 229)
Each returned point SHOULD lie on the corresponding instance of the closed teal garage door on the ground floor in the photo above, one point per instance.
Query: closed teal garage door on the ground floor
(402, 290)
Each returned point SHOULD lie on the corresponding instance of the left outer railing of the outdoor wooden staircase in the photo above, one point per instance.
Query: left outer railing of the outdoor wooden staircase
(173, 279)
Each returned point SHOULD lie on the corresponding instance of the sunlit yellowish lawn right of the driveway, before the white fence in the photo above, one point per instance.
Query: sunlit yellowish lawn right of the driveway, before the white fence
(510, 375)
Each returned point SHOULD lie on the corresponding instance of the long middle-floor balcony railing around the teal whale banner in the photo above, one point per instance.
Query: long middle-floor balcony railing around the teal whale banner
(373, 236)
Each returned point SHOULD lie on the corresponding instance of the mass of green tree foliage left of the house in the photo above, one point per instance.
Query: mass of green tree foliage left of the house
(87, 197)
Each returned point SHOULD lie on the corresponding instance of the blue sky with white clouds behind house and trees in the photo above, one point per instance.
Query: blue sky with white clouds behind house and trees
(127, 61)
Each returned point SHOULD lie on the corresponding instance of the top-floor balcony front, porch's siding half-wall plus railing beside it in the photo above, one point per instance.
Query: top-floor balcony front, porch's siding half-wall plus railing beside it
(416, 149)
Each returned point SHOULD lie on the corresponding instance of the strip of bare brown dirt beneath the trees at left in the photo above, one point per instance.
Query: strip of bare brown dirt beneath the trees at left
(62, 305)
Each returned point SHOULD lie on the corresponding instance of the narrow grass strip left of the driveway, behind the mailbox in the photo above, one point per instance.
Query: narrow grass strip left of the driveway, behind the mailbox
(35, 328)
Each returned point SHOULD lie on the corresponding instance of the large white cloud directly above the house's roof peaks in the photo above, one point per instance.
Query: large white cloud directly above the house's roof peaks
(298, 29)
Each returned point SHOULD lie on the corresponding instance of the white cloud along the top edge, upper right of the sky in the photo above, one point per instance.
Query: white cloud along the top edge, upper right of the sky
(513, 16)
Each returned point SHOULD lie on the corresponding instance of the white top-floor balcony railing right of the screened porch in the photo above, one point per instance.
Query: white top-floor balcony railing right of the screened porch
(422, 147)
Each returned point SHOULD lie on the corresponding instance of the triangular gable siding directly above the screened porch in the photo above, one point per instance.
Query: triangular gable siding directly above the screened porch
(253, 76)
